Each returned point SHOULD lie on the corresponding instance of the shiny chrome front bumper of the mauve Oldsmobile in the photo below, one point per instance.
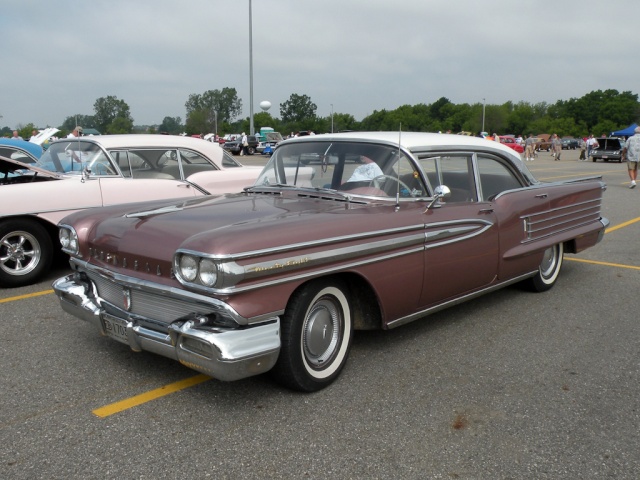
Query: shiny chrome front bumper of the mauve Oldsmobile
(223, 353)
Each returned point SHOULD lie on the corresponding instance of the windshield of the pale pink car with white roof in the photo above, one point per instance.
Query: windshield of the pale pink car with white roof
(74, 155)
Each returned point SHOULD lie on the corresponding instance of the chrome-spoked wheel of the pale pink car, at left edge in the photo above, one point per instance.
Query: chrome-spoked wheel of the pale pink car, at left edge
(26, 252)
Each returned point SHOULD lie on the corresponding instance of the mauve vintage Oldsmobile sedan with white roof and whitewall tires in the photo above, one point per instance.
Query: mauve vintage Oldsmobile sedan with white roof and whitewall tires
(277, 278)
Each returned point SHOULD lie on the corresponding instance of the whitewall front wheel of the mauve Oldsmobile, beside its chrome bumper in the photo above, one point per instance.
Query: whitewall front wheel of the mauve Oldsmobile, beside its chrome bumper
(316, 331)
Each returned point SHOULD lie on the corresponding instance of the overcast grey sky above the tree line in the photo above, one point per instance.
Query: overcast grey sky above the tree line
(357, 55)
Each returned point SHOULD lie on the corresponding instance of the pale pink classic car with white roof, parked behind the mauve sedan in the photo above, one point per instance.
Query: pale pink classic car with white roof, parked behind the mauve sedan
(87, 172)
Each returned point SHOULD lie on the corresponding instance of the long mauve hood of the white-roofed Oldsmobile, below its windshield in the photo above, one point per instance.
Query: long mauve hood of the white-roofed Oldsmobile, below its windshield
(148, 234)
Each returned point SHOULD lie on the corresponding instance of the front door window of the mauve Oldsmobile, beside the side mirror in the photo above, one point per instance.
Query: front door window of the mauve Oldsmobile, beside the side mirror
(454, 171)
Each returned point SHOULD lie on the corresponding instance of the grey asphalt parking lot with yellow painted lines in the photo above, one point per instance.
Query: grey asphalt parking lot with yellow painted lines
(511, 385)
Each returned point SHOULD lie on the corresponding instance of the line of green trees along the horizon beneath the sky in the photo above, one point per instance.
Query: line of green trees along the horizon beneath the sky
(598, 112)
